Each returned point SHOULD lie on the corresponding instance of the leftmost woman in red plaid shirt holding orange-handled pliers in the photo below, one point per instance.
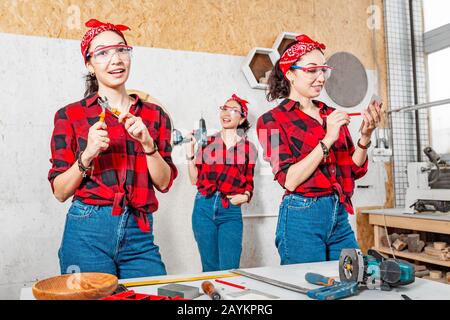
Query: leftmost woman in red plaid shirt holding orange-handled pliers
(110, 161)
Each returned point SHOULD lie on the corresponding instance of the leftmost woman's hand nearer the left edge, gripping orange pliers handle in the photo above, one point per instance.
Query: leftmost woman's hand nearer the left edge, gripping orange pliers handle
(98, 141)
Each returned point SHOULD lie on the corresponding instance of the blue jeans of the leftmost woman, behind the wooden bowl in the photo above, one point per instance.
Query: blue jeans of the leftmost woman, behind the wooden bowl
(96, 241)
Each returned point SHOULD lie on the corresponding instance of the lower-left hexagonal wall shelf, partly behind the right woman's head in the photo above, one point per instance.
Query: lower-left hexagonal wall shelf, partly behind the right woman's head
(257, 64)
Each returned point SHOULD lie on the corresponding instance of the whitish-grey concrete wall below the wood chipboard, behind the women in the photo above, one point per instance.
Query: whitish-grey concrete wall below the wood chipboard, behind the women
(40, 75)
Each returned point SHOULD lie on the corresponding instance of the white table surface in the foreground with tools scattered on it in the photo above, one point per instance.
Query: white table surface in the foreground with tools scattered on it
(421, 289)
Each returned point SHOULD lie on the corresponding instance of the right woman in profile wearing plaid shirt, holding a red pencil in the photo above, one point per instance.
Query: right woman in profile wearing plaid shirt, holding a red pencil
(313, 157)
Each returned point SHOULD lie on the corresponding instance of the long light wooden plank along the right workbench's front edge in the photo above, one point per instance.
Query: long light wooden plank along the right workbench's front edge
(411, 223)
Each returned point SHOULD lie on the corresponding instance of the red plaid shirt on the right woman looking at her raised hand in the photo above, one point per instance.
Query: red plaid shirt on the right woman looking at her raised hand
(288, 135)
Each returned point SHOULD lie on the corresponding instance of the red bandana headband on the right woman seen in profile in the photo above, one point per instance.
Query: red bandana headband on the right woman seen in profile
(303, 45)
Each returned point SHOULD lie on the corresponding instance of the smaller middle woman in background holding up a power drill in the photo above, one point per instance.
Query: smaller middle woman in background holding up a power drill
(223, 171)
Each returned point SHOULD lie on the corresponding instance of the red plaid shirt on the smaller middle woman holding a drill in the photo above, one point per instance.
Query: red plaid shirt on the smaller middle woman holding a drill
(228, 171)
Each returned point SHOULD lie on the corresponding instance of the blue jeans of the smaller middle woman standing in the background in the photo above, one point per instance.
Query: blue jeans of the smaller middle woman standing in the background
(218, 232)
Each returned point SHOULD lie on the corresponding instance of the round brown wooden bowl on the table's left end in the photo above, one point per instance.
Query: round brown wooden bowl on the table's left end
(76, 286)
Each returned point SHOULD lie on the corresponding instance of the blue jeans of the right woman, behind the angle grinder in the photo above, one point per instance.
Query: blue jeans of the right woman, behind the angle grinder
(312, 229)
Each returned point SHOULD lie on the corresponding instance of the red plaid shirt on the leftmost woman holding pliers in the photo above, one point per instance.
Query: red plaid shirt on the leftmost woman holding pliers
(120, 176)
